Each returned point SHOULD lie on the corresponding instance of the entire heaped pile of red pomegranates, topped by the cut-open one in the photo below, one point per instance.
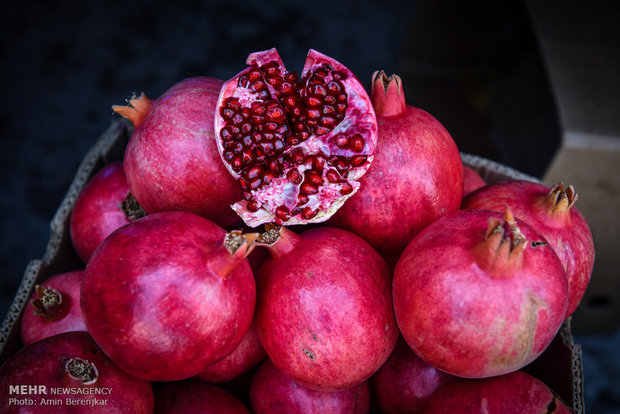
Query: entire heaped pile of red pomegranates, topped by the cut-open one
(416, 286)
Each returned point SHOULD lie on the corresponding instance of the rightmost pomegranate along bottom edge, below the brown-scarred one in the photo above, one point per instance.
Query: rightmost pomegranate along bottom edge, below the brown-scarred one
(514, 393)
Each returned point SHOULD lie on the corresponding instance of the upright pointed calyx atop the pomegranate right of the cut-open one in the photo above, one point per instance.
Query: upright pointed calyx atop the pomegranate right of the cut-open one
(387, 94)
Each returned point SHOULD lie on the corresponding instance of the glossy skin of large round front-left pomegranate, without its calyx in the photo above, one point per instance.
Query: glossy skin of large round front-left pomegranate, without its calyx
(153, 304)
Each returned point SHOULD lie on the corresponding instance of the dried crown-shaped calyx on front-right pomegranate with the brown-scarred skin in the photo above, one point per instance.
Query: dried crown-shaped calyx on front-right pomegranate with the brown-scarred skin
(501, 252)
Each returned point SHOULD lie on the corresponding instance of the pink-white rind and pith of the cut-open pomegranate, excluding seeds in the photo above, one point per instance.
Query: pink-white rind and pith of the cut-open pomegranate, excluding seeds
(359, 118)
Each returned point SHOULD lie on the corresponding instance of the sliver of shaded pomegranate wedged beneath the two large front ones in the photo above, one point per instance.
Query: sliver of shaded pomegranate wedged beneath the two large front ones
(247, 355)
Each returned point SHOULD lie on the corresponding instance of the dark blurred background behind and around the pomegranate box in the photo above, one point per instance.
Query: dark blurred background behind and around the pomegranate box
(476, 67)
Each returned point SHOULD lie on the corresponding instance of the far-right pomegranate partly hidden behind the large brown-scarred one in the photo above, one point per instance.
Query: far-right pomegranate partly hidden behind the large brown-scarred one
(553, 214)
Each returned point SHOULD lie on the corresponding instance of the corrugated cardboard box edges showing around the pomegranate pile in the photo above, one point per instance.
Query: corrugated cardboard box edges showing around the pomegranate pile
(560, 366)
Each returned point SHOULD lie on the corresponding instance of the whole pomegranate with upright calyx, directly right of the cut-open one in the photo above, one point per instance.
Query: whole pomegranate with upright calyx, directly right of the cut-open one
(416, 177)
